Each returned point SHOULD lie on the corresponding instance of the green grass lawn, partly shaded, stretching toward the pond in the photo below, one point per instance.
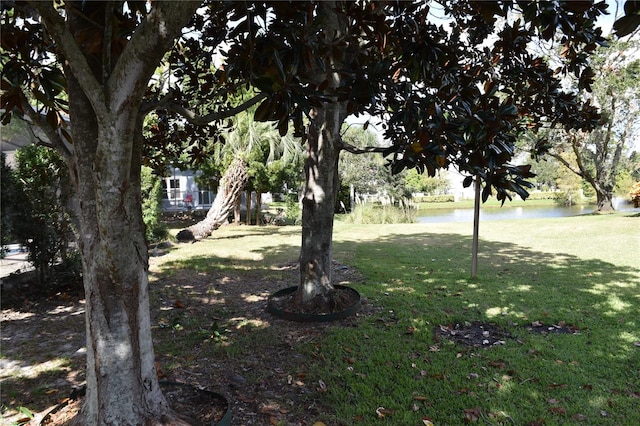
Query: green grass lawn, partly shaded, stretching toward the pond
(581, 273)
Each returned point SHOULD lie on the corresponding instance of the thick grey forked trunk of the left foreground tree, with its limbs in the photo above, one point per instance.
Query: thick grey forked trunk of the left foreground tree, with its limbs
(105, 94)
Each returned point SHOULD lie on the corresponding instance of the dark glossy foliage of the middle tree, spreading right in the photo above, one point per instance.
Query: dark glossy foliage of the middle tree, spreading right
(446, 95)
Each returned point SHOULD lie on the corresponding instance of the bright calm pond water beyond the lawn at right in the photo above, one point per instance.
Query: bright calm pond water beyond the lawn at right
(505, 212)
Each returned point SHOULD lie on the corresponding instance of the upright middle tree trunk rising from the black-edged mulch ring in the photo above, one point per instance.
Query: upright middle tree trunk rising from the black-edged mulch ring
(321, 172)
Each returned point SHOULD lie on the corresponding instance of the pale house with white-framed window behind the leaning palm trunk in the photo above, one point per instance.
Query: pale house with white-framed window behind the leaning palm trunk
(181, 192)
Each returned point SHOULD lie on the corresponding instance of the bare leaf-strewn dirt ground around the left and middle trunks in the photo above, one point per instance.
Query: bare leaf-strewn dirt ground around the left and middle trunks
(210, 330)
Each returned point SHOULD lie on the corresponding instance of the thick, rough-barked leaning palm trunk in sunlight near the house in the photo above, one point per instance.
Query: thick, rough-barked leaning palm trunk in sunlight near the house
(231, 184)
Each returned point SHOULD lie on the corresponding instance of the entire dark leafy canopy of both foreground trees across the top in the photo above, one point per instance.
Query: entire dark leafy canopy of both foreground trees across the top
(453, 92)
